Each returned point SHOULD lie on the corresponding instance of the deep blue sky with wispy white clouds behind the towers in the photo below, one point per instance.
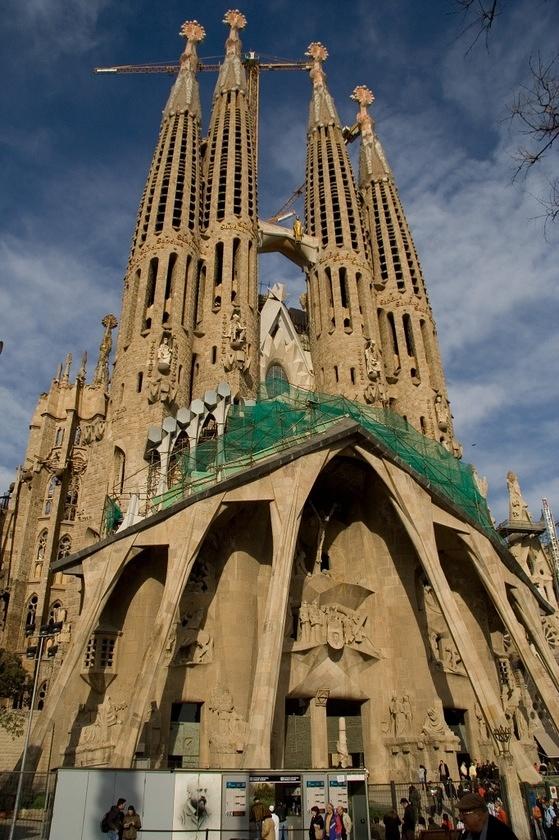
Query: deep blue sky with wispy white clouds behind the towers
(75, 150)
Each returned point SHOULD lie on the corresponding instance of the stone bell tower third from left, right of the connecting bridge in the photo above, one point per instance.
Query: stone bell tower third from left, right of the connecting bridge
(345, 345)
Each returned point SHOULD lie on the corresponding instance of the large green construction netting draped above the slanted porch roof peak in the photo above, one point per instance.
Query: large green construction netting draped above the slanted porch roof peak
(277, 421)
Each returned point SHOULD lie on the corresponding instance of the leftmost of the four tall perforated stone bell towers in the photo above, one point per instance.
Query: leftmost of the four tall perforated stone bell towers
(154, 352)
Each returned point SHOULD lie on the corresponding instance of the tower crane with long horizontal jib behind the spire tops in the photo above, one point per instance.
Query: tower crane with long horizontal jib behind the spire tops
(253, 66)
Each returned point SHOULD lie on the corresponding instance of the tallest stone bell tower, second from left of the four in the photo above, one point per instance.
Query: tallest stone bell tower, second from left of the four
(226, 310)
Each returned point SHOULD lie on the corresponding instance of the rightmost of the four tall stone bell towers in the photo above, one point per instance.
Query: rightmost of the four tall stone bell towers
(412, 365)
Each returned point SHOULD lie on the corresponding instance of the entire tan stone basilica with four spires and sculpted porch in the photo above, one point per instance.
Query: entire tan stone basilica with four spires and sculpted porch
(257, 531)
